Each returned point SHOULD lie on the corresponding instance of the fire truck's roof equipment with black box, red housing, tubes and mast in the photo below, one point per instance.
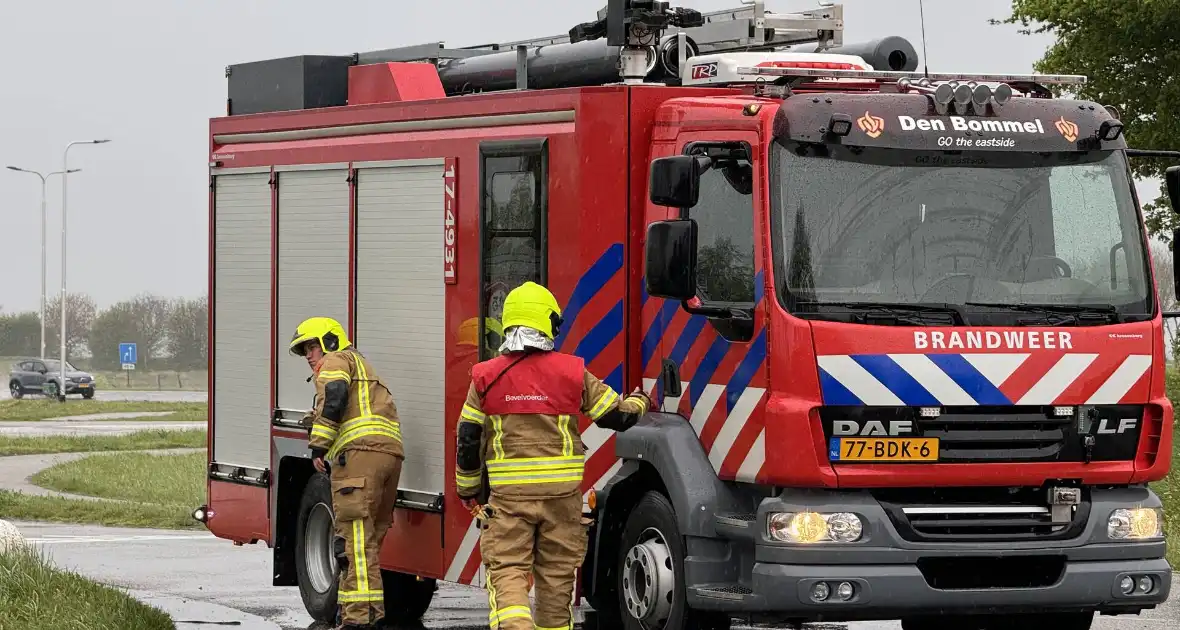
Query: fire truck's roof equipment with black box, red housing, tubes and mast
(632, 41)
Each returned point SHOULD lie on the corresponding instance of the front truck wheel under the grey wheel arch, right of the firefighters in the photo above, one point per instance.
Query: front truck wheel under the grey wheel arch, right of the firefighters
(652, 539)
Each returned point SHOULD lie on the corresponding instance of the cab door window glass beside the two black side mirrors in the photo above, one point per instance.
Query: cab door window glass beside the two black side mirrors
(725, 222)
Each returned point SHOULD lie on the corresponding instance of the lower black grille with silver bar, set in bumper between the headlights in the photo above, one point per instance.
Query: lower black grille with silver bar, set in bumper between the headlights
(981, 515)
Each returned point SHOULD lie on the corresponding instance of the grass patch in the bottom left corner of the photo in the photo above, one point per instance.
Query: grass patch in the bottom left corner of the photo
(37, 596)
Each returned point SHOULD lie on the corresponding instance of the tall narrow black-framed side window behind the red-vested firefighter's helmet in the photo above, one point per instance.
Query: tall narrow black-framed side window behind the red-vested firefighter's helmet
(514, 204)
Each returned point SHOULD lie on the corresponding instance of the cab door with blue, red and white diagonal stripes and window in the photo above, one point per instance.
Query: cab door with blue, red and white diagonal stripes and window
(712, 370)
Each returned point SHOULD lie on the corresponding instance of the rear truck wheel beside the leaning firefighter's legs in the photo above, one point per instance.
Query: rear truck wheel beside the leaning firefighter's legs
(316, 567)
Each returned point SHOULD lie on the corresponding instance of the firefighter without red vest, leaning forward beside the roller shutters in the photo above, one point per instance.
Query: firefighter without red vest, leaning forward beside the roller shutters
(357, 438)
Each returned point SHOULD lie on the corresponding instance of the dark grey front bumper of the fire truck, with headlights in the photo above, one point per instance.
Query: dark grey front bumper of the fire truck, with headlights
(894, 577)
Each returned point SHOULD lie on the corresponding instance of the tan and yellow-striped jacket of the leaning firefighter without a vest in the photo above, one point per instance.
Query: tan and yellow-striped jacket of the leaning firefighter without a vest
(353, 409)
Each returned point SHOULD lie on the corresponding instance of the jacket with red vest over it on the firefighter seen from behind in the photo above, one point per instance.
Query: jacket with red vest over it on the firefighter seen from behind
(521, 422)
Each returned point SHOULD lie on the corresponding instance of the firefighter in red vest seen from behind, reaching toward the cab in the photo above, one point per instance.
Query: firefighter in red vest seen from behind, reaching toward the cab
(521, 422)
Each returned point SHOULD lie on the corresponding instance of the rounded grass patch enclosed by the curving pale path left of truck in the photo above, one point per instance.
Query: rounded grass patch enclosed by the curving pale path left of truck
(162, 481)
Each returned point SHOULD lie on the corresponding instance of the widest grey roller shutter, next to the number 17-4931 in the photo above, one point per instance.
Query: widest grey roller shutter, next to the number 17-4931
(401, 309)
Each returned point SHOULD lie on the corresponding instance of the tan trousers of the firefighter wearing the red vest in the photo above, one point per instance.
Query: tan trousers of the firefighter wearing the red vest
(540, 539)
